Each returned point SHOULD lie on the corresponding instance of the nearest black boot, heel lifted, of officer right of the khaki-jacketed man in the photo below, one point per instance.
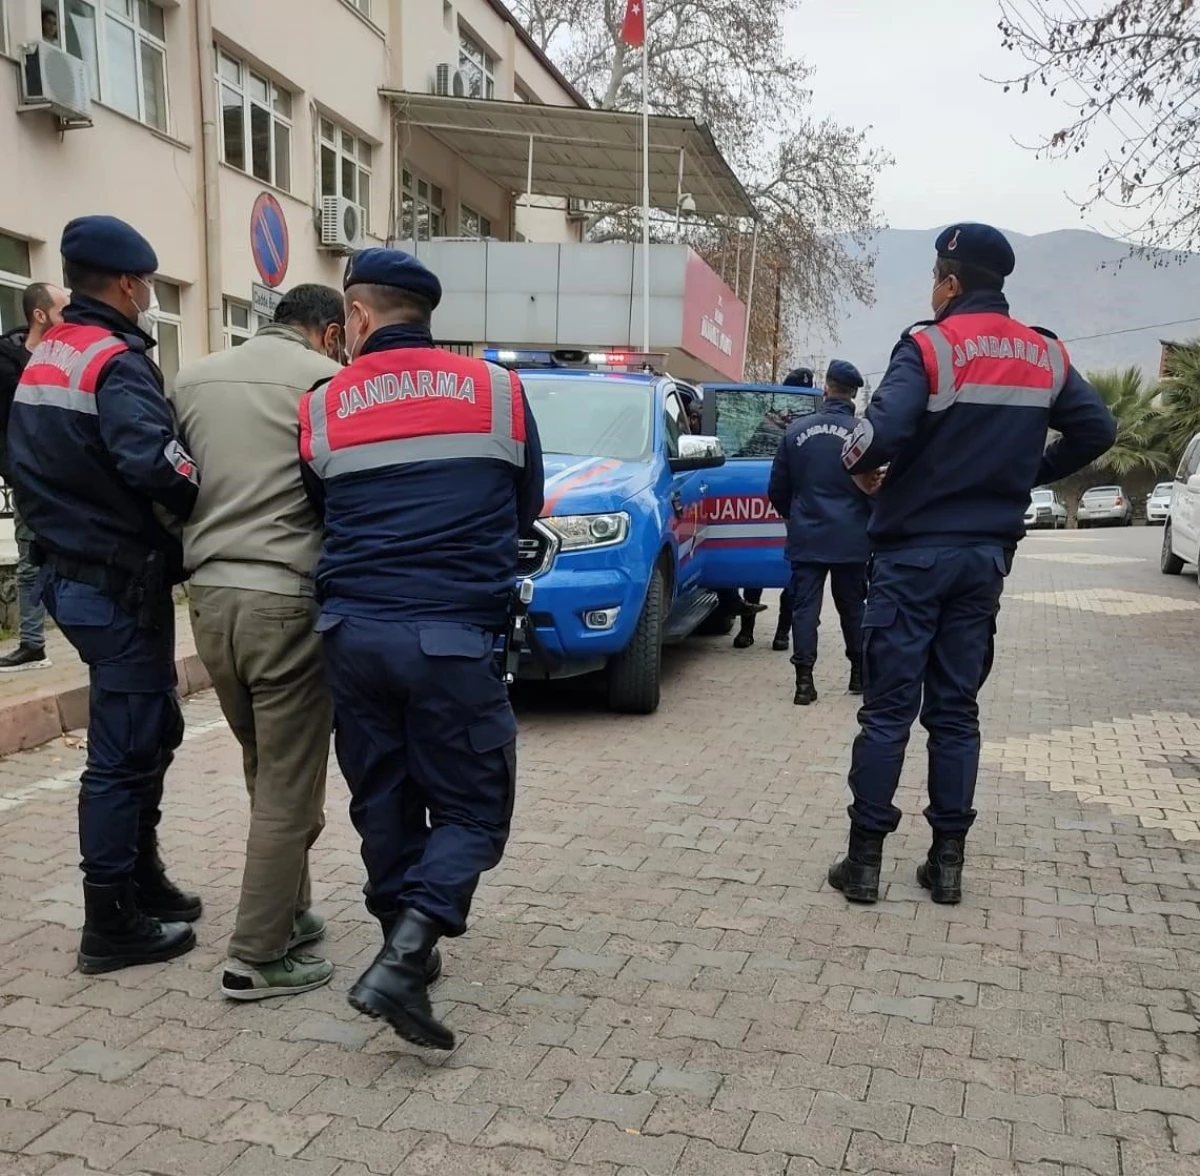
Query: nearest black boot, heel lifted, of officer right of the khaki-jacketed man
(395, 989)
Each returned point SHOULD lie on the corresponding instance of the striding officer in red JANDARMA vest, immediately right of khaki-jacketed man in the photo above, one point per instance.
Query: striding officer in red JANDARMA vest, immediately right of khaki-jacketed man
(428, 467)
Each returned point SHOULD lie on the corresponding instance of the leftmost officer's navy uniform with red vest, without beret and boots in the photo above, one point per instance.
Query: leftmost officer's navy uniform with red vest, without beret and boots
(97, 463)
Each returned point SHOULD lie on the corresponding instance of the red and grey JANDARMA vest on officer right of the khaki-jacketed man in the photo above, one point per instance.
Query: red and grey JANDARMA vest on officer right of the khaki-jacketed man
(412, 405)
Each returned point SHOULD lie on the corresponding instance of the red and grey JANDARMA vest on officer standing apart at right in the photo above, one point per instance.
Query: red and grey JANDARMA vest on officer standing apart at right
(991, 359)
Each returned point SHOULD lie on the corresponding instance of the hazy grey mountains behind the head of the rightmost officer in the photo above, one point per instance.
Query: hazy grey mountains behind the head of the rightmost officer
(1111, 308)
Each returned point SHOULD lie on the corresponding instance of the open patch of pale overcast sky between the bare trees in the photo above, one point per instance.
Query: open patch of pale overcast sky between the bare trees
(915, 70)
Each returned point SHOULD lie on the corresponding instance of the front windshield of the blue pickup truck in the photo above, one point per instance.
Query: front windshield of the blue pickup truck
(587, 419)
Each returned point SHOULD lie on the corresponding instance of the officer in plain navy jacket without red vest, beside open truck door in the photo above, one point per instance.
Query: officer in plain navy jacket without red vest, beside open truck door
(827, 517)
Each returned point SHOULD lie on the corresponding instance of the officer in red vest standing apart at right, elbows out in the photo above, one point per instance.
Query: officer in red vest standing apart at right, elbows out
(961, 423)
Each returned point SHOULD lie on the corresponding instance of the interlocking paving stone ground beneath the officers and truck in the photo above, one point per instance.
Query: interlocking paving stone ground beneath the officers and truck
(658, 981)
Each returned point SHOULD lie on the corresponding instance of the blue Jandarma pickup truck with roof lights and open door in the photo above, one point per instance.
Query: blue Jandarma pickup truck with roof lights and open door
(644, 521)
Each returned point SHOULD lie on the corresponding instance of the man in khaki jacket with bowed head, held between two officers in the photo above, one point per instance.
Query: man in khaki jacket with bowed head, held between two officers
(251, 548)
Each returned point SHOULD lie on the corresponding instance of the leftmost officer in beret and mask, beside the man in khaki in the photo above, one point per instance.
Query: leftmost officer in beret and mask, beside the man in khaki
(105, 484)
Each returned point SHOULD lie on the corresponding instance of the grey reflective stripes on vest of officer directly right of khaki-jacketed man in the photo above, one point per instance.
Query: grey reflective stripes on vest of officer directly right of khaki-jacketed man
(499, 445)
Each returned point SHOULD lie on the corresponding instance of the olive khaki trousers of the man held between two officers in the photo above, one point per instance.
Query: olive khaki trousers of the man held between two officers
(265, 659)
